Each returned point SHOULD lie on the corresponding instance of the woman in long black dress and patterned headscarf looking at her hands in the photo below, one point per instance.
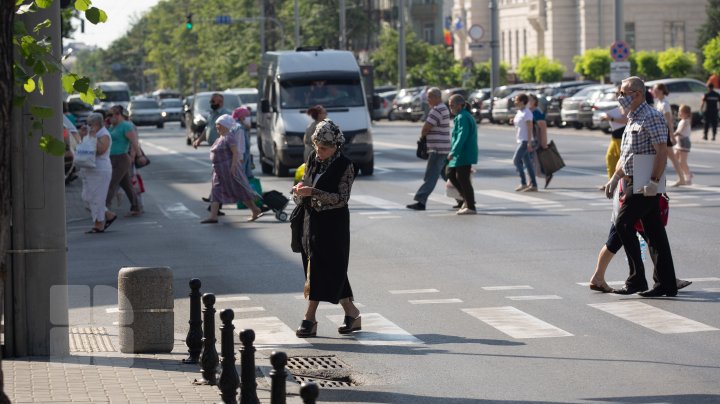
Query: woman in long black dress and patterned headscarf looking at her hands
(324, 193)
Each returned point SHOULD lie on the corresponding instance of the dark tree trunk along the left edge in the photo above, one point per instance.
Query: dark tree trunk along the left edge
(7, 16)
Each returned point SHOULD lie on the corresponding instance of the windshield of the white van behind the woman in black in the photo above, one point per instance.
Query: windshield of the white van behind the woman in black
(330, 93)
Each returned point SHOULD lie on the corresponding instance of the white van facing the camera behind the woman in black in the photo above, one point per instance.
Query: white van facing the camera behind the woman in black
(292, 81)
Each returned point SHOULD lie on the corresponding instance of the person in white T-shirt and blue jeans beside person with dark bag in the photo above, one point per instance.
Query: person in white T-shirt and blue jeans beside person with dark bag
(524, 125)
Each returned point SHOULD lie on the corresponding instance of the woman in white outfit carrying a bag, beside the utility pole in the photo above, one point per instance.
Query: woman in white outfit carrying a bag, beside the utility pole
(96, 181)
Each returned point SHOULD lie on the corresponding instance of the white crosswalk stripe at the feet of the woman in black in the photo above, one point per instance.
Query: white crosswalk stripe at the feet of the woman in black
(377, 330)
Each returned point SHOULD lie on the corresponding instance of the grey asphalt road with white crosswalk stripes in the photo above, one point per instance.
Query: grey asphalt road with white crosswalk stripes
(456, 309)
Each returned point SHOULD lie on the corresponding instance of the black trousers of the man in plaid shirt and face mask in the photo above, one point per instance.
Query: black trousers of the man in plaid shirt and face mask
(647, 209)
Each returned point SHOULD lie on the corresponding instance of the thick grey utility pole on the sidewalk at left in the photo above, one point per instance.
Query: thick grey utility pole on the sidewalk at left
(36, 321)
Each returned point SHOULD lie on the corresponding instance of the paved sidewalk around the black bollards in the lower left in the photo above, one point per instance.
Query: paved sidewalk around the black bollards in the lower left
(96, 372)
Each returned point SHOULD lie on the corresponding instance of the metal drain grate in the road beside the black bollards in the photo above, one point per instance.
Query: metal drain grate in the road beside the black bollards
(327, 371)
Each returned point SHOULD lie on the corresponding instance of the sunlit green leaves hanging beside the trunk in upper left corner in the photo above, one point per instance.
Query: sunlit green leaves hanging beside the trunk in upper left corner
(36, 59)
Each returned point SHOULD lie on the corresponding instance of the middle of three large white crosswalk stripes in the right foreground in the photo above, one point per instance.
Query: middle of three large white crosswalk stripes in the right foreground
(516, 323)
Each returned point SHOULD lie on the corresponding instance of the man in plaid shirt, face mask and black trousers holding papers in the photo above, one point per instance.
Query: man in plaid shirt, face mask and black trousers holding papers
(646, 133)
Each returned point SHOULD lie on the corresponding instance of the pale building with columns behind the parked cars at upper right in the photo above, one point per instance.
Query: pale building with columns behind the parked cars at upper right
(561, 29)
